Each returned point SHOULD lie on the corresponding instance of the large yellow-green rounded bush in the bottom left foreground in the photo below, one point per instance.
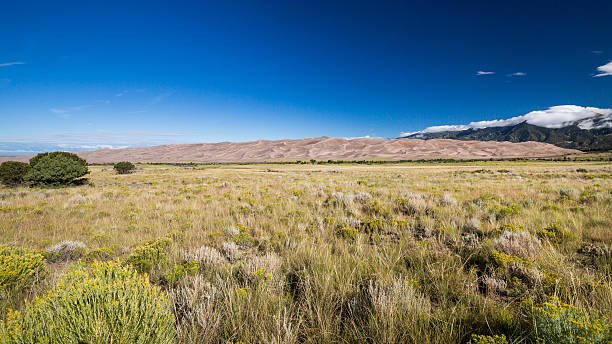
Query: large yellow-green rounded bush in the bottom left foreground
(104, 303)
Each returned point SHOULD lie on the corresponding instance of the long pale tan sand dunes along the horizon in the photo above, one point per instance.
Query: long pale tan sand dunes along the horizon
(322, 148)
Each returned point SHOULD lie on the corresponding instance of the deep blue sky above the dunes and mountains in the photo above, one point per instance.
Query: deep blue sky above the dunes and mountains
(131, 74)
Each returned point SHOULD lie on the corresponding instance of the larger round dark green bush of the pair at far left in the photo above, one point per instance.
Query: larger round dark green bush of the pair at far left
(56, 168)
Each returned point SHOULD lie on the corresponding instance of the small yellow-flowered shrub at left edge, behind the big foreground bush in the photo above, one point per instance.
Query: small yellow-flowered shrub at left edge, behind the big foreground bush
(19, 267)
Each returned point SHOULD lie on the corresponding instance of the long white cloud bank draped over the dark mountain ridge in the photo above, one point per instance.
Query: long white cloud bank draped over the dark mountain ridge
(553, 117)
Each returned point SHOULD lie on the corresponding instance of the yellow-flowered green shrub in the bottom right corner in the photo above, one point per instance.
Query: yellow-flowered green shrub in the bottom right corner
(560, 323)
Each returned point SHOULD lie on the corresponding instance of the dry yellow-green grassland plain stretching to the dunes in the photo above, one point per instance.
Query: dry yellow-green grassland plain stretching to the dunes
(339, 253)
